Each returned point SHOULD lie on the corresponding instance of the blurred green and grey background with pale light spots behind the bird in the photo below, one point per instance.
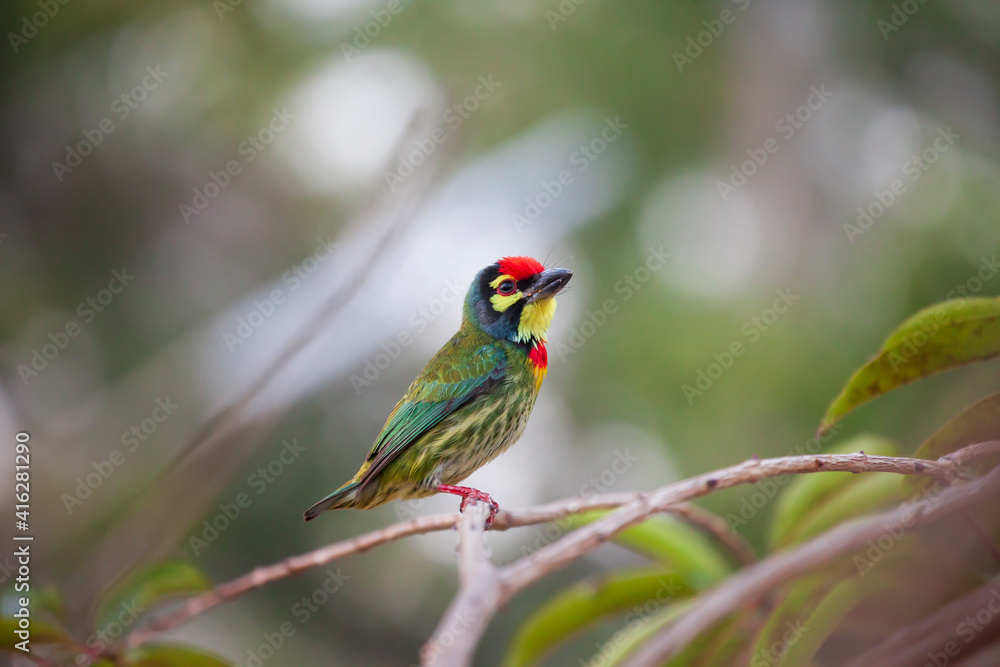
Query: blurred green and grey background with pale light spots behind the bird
(255, 221)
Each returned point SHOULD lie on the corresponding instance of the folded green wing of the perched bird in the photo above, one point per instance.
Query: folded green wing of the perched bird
(450, 380)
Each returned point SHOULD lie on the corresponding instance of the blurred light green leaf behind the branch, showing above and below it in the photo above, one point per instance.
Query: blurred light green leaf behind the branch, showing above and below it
(805, 494)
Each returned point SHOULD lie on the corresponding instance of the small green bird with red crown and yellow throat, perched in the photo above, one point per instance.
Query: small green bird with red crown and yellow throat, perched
(471, 401)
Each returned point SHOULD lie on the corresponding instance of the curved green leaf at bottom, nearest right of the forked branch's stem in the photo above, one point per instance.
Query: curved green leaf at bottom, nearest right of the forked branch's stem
(588, 602)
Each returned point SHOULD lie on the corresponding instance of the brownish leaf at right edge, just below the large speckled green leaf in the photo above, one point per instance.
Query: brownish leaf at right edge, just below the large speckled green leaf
(980, 422)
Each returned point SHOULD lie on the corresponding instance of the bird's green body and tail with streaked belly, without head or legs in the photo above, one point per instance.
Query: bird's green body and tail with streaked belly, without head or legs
(469, 404)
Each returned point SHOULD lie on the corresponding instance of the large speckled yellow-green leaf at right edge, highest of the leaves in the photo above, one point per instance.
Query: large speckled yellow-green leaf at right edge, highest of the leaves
(936, 339)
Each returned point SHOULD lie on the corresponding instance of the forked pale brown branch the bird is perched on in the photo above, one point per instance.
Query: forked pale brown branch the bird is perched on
(474, 607)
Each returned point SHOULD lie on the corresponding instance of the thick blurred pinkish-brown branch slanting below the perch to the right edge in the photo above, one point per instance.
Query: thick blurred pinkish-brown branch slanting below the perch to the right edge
(758, 580)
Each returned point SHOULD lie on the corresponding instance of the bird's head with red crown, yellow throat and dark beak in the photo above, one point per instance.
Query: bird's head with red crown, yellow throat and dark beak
(514, 299)
